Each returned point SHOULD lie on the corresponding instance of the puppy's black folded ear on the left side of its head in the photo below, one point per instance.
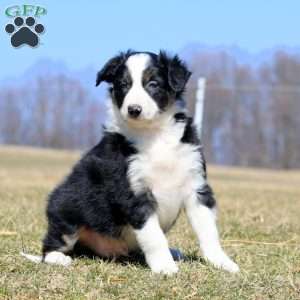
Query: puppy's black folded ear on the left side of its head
(108, 72)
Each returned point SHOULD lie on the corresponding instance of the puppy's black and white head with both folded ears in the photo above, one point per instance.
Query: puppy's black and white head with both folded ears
(144, 85)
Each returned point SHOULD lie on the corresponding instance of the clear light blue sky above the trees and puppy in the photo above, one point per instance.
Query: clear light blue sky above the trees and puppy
(83, 33)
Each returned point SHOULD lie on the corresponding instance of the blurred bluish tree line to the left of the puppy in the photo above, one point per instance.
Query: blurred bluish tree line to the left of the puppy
(56, 112)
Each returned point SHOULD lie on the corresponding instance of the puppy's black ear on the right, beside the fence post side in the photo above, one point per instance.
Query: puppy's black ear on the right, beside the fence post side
(177, 72)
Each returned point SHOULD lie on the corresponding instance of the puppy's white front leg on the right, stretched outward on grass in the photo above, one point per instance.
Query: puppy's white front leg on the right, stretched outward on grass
(199, 208)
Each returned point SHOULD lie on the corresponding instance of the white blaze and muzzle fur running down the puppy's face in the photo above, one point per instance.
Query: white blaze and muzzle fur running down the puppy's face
(137, 95)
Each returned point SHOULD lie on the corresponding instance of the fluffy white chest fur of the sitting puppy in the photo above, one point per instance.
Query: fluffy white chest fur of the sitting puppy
(170, 169)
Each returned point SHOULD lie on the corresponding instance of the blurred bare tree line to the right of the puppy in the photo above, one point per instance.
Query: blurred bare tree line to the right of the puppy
(251, 114)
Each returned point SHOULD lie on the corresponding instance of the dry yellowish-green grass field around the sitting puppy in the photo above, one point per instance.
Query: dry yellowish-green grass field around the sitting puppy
(259, 221)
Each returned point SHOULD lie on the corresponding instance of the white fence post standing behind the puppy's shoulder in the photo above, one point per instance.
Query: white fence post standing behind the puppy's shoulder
(198, 117)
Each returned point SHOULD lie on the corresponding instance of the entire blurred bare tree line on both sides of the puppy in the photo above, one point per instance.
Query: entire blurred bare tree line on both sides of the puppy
(251, 113)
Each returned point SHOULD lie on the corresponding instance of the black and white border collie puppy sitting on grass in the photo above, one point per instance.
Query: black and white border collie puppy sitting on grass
(127, 192)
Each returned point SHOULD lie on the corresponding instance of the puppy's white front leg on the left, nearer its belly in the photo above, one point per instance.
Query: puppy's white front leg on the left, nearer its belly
(154, 244)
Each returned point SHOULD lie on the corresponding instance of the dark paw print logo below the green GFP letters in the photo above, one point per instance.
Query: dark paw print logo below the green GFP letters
(24, 33)
